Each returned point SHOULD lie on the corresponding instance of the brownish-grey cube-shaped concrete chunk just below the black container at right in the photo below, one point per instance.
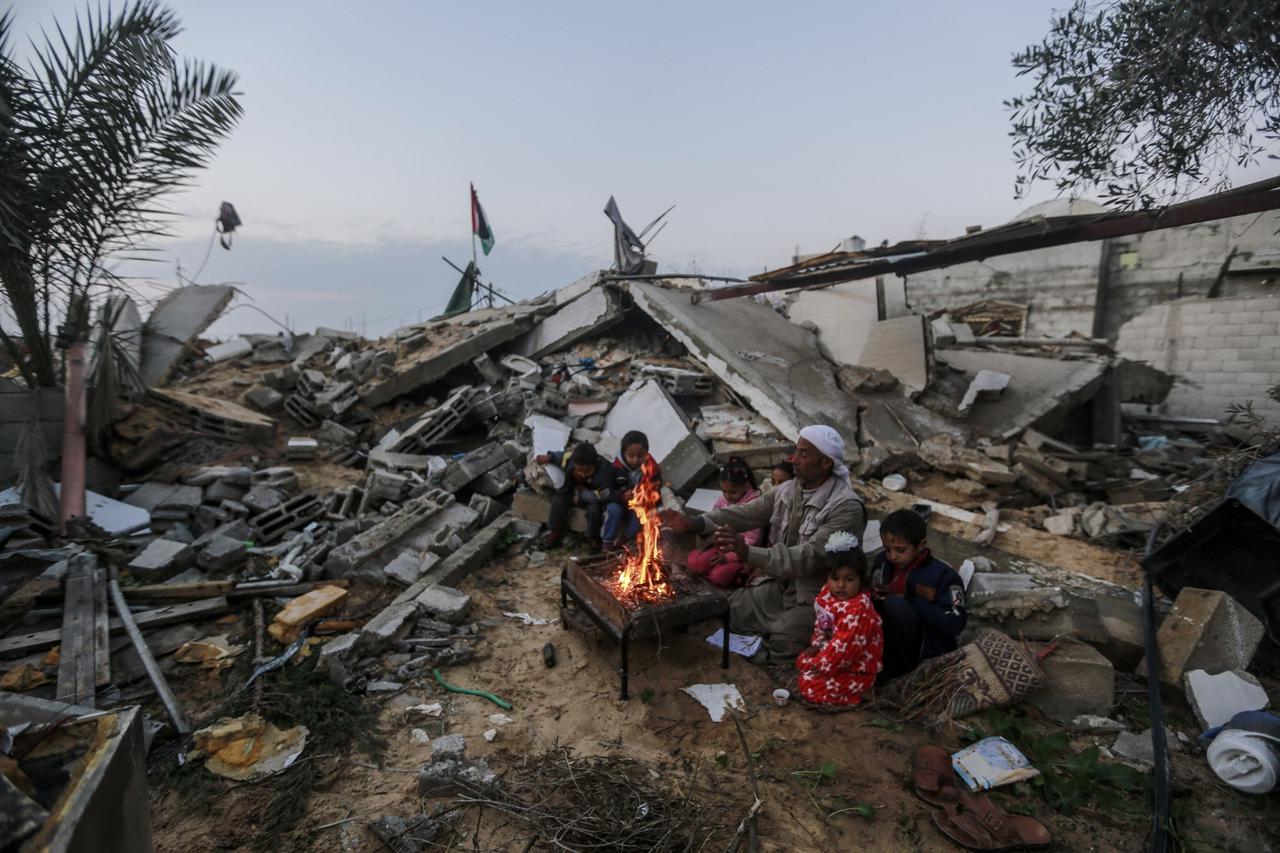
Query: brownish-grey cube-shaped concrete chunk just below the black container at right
(1206, 631)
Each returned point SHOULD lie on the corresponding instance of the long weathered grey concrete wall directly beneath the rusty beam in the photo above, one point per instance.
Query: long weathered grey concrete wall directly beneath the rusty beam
(1062, 282)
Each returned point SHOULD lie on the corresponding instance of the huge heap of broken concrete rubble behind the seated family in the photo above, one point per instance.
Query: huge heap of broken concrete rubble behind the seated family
(359, 483)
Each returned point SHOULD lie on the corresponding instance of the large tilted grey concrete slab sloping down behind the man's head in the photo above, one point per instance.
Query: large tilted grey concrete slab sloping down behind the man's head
(762, 357)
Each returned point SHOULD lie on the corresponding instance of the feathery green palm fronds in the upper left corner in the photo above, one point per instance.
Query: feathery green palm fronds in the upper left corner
(103, 125)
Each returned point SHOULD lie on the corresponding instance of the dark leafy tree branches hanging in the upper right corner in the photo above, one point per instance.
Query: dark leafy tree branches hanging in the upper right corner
(1145, 99)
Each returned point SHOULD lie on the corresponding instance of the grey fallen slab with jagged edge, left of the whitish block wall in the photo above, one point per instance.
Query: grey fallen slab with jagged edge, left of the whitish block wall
(1040, 394)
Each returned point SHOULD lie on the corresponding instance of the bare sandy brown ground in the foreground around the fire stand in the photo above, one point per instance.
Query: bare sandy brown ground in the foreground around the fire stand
(577, 704)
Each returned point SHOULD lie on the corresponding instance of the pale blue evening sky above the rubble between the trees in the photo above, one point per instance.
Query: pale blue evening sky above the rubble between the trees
(769, 126)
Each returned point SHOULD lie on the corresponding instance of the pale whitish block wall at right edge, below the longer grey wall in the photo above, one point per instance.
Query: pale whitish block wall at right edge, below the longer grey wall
(1227, 349)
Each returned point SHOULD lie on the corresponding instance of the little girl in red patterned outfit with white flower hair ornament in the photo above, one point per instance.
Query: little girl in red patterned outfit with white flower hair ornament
(844, 655)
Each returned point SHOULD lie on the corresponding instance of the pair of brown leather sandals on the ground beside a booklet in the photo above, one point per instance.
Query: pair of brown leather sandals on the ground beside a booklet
(971, 822)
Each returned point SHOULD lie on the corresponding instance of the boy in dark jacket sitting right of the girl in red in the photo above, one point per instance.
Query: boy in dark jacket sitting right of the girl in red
(920, 599)
